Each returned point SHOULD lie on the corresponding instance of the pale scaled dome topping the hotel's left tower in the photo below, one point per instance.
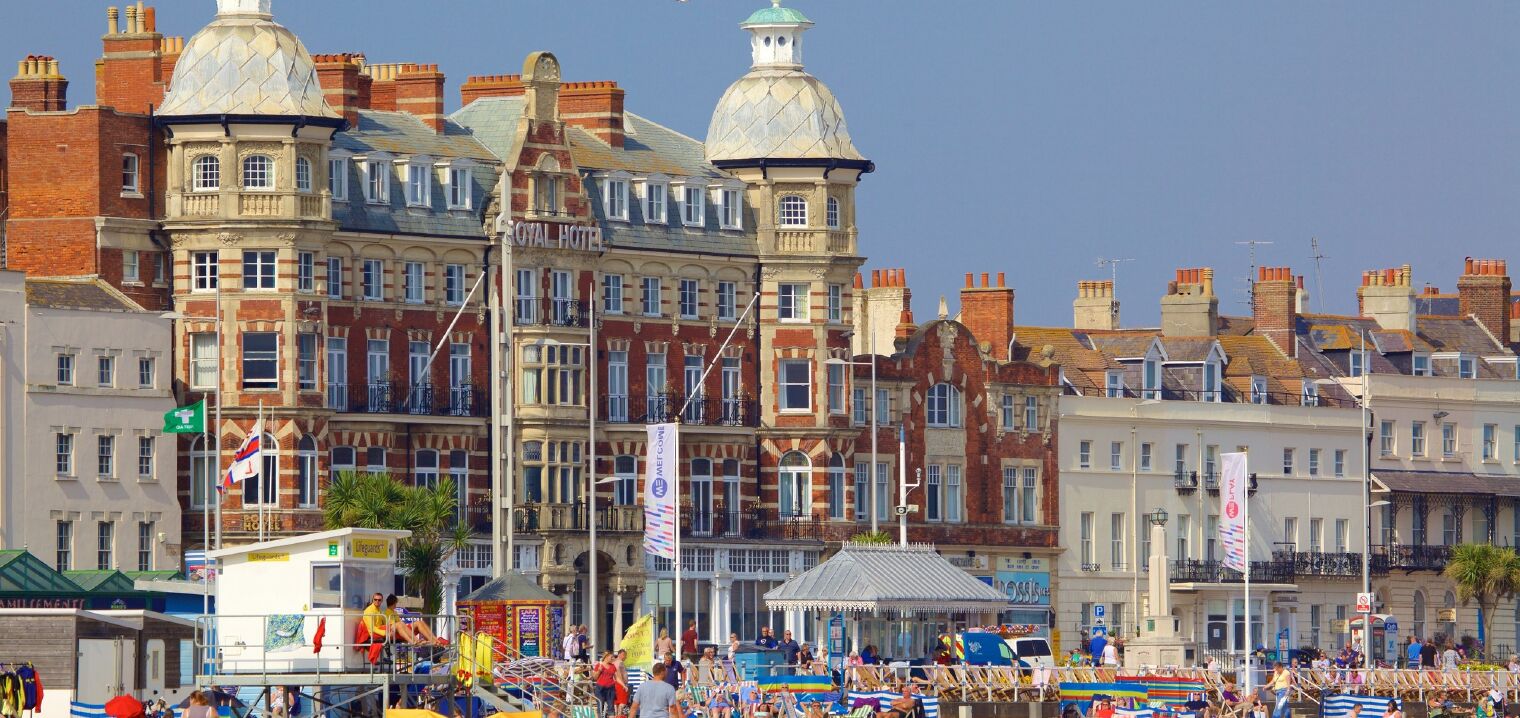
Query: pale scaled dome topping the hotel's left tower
(245, 63)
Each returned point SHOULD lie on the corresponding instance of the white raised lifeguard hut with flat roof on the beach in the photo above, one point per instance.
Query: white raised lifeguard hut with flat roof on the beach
(273, 596)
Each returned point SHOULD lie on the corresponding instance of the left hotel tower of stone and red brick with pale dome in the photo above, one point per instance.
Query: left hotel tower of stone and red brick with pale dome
(249, 211)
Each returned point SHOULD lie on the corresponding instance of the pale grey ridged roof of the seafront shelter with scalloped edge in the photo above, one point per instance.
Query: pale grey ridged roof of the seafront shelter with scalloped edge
(887, 579)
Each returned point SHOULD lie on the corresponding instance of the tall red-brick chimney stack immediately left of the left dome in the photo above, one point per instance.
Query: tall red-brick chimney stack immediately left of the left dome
(130, 74)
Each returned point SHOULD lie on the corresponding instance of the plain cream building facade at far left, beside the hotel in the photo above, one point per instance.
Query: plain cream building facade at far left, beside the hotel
(119, 468)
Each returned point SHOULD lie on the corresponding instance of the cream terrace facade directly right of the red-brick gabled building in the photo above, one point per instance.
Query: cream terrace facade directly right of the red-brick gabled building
(1109, 492)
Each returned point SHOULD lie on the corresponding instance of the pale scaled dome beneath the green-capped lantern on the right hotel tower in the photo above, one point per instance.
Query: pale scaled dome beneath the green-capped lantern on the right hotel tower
(779, 113)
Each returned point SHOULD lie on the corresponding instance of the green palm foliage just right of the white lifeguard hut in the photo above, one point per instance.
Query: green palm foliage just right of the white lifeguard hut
(376, 501)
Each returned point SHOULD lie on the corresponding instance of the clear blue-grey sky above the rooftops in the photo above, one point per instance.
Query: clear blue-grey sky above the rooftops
(1037, 138)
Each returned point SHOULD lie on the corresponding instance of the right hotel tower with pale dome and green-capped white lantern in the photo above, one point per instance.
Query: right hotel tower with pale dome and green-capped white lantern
(784, 133)
